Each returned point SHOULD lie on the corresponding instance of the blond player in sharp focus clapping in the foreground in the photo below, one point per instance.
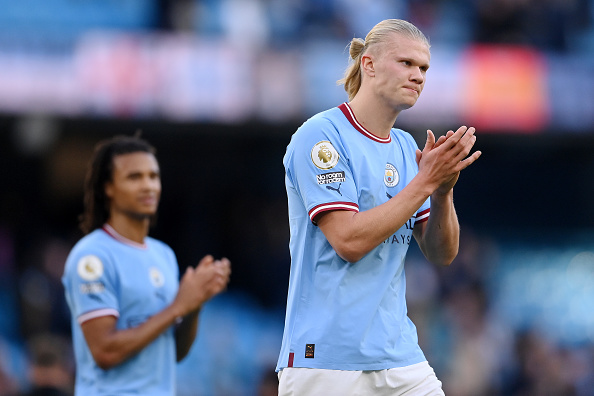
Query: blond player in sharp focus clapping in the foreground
(358, 191)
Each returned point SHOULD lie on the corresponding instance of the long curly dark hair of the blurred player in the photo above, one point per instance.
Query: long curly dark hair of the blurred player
(99, 172)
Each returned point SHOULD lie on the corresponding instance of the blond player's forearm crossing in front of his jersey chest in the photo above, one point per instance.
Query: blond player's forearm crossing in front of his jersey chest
(354, 235)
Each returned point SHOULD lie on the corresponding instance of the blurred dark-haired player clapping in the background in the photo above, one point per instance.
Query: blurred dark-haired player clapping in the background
(131, 316)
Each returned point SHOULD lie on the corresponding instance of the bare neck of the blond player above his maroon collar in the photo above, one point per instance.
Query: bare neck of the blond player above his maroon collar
(373, 114)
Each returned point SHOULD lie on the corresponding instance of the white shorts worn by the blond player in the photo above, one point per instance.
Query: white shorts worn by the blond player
(415, 380)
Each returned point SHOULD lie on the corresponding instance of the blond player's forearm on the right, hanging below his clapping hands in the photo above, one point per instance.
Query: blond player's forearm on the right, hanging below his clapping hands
(440, 239)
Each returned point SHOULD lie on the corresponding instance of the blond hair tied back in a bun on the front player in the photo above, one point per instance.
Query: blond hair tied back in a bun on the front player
(377, 35)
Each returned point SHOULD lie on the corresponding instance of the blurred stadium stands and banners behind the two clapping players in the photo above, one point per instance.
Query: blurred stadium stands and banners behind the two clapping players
(219, 86)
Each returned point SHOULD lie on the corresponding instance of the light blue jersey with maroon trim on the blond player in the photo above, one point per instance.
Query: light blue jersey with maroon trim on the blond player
(341, 315)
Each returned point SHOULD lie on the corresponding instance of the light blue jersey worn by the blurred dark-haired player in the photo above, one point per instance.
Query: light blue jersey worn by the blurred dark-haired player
(106, 274)
